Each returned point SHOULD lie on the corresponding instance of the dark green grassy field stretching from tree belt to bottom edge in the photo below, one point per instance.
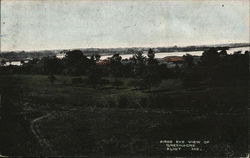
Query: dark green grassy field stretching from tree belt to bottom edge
(125, 121)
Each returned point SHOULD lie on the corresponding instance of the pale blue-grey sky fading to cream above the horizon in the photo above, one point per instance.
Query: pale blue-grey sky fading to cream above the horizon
(44, 25)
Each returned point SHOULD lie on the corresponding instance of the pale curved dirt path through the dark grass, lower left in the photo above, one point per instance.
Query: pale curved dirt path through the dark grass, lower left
(35, 130)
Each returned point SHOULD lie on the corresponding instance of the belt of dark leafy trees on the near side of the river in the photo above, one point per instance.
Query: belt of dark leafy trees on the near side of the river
(215, 68)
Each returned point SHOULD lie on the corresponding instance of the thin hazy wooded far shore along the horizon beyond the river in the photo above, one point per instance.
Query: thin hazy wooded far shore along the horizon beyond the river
(22, 55)
